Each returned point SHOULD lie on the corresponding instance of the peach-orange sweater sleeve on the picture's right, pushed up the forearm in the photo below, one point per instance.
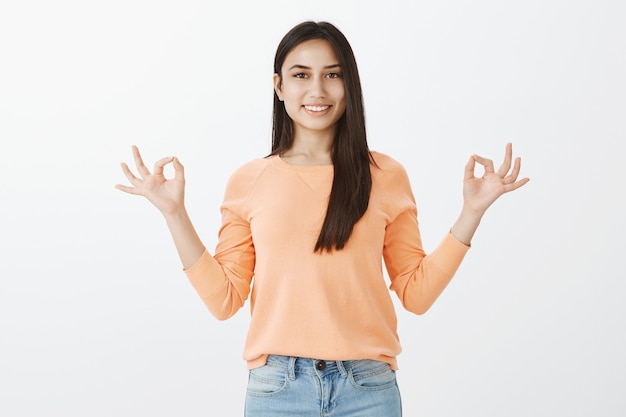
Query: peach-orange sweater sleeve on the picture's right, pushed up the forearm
(417, 278)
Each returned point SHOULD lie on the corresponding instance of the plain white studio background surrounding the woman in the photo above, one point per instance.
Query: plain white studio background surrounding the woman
(96, 317)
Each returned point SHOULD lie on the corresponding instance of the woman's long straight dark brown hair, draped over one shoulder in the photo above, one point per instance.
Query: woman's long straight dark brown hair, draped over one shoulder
(352, 181)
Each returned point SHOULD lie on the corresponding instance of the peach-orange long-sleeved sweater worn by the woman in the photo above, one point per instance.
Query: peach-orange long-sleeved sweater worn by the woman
(333, 306)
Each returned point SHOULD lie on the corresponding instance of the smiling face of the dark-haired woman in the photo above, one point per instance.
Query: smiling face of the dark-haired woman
(311, 87)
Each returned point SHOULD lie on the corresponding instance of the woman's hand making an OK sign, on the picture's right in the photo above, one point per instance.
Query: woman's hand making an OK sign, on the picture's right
(480, 193)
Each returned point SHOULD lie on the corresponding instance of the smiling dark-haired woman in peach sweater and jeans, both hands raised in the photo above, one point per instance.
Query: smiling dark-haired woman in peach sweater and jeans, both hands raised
(304, 234)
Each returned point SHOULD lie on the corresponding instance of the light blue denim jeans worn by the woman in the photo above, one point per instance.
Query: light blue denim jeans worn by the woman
(290, 386)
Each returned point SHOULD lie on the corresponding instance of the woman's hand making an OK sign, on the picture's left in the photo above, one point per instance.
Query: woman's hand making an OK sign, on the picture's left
(167, 195)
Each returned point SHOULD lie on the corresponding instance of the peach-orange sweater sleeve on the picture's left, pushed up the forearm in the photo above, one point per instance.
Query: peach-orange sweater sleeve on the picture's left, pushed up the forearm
(223, 280)
